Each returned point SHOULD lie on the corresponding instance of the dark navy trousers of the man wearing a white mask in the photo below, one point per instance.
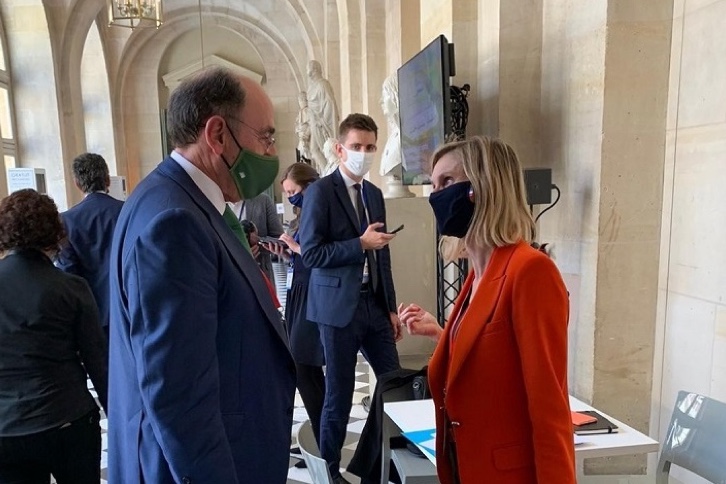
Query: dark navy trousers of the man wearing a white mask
(370, 331)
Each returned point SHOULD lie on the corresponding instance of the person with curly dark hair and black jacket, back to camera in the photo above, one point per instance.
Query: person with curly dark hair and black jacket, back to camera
(51, 337)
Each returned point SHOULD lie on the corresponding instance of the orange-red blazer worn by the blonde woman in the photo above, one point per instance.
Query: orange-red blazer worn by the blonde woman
(503, 378)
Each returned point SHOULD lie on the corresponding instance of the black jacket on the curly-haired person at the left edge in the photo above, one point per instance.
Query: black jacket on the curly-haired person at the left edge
(47, 318)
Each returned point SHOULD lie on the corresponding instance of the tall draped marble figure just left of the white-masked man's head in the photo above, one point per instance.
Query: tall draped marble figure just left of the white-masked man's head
(323, 110)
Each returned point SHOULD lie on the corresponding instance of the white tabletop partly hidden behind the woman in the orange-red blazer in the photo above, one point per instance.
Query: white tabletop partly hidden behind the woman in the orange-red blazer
(415, 415)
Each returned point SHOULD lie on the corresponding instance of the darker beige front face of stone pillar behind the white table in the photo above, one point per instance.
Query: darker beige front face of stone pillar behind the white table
(637, 56)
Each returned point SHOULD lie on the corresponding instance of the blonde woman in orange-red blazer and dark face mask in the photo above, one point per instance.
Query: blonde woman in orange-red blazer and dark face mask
(499, 372)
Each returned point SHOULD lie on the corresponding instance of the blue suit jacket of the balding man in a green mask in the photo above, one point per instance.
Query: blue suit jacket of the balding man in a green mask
(202, 380)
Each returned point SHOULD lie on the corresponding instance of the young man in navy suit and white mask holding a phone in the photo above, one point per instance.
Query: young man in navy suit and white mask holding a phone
(351, 295)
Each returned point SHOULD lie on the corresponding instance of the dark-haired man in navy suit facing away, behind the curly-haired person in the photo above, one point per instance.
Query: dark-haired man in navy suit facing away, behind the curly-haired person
(90, 226)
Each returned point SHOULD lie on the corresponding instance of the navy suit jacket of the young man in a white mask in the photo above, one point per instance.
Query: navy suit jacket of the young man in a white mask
(330, 238)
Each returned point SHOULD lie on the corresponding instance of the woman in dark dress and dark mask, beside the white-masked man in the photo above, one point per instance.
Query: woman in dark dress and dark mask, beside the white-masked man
(304, 336)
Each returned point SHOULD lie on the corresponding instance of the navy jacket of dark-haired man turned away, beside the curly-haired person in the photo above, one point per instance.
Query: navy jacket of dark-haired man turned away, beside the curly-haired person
(90, 226)
